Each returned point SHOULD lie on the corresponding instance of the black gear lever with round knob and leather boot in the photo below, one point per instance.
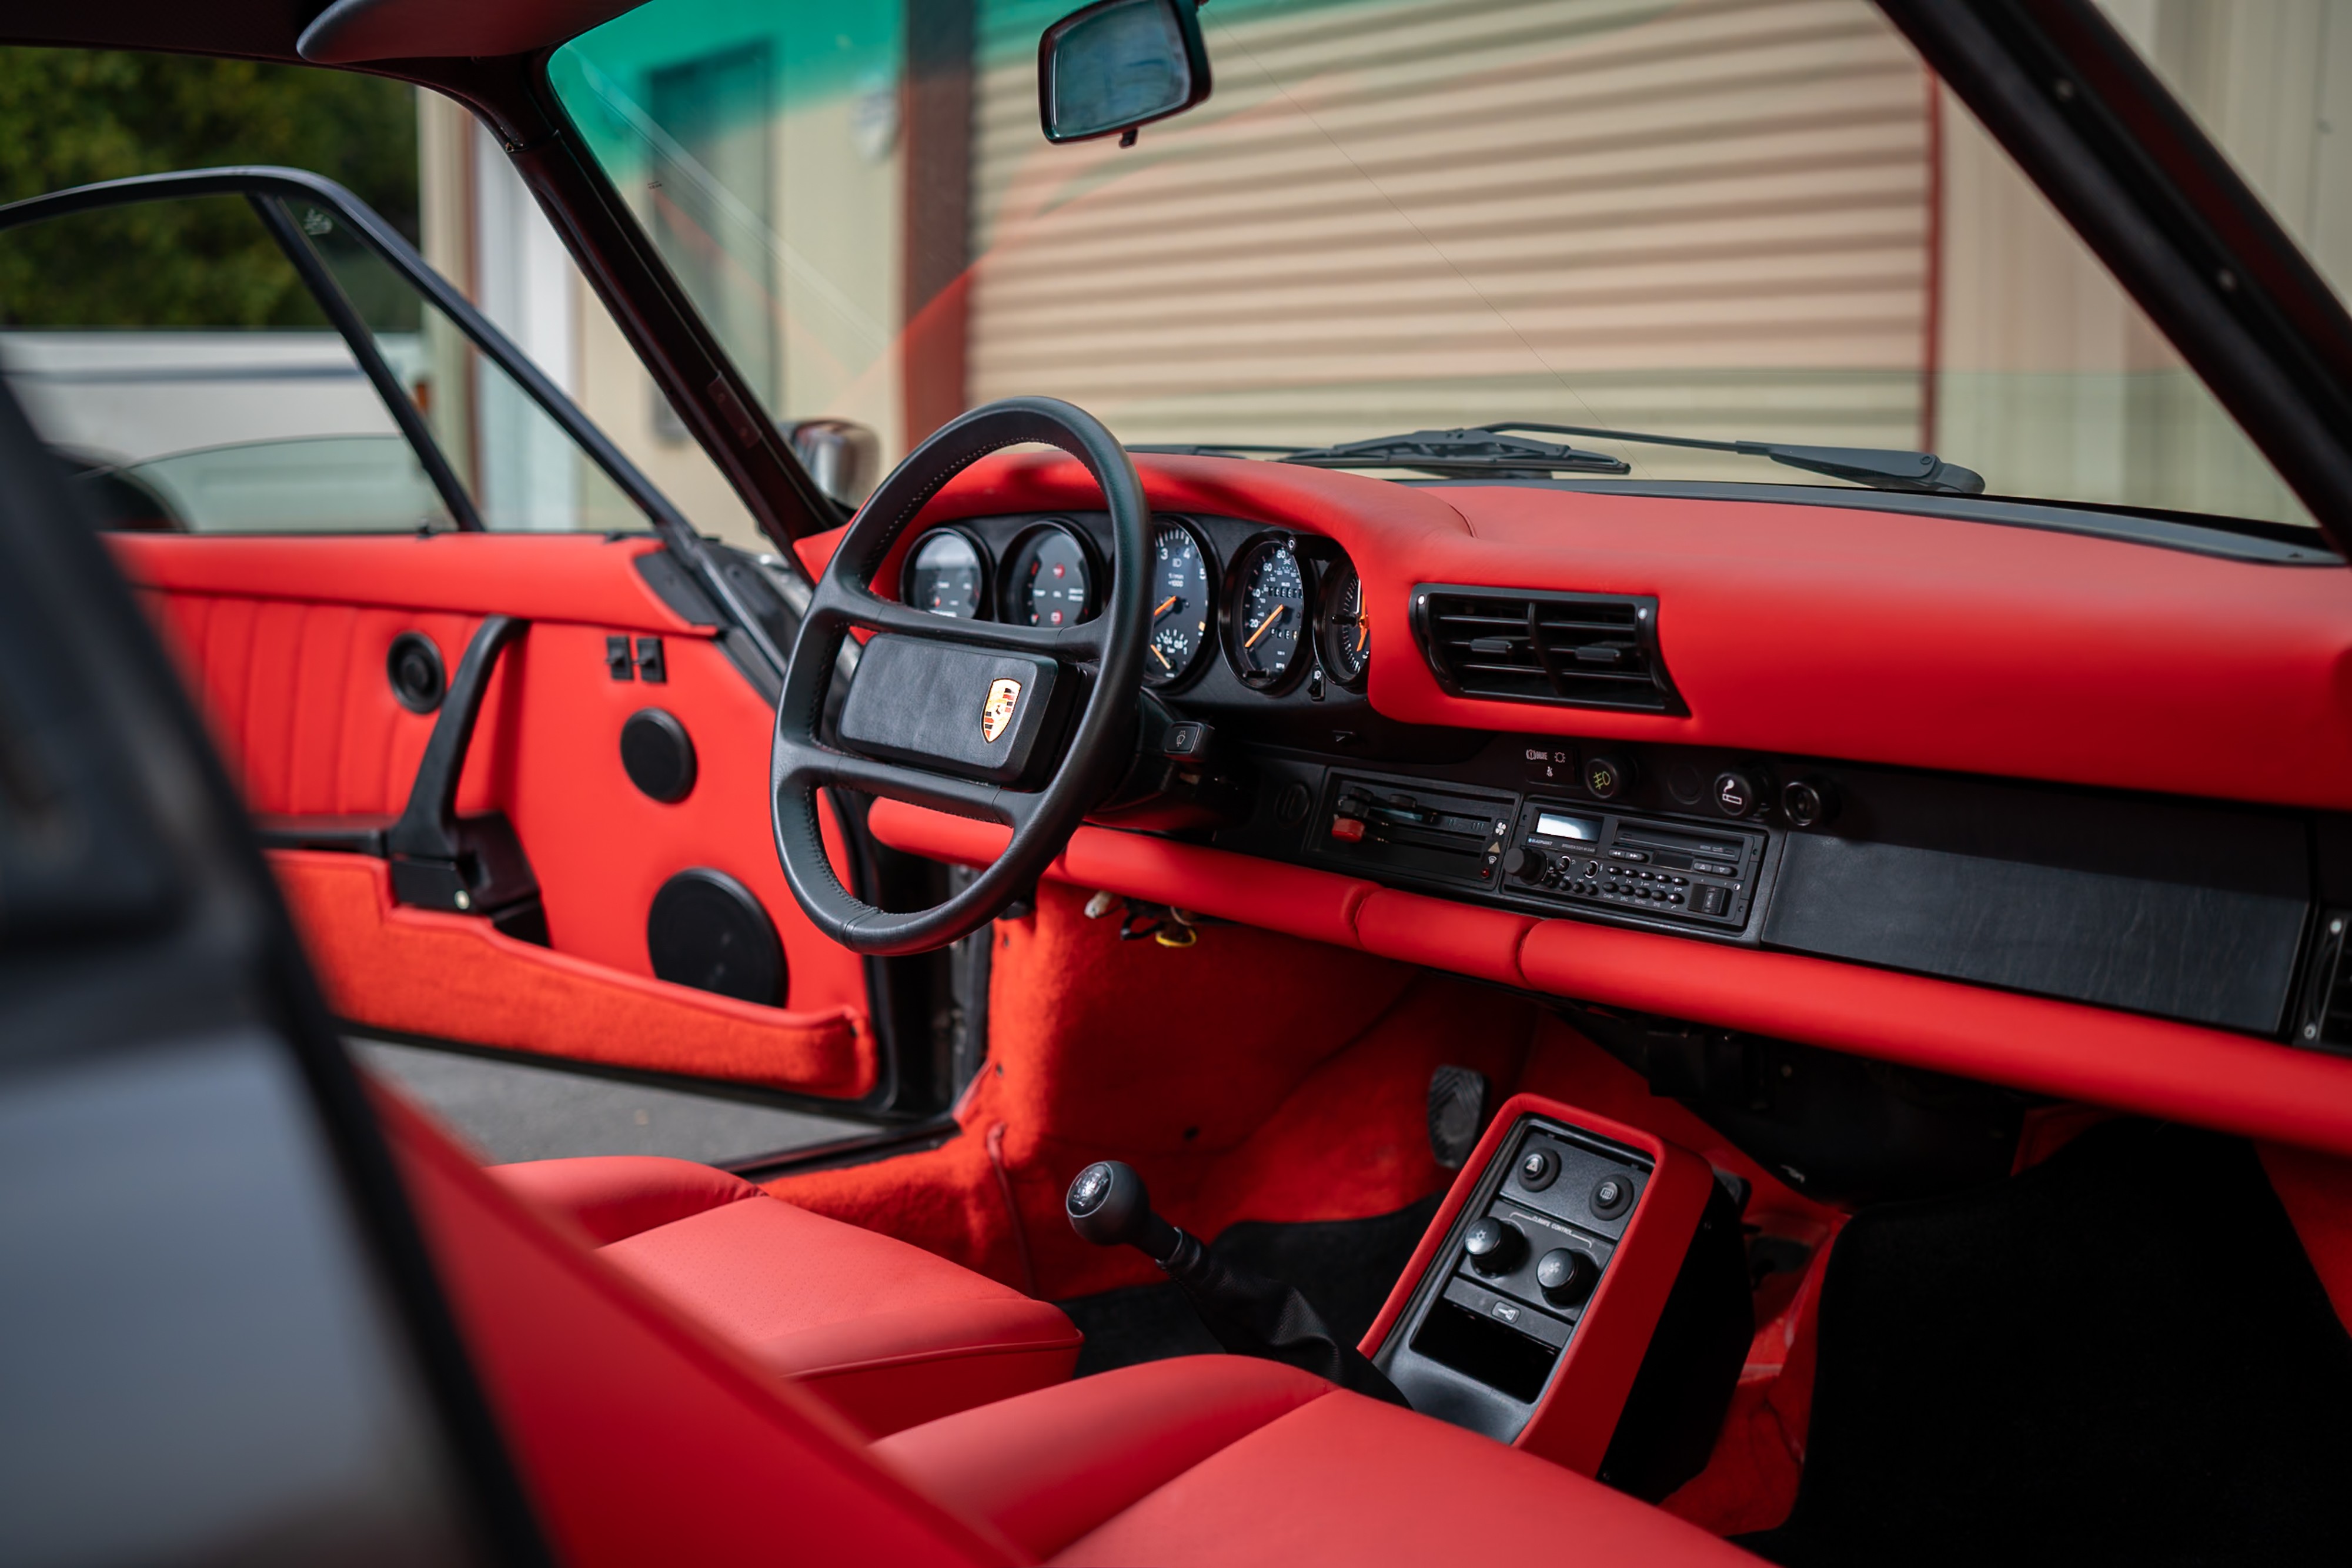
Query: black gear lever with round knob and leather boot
(1248, 1313)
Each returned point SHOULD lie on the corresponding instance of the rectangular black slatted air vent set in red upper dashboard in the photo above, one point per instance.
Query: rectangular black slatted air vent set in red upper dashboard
(1584, 650)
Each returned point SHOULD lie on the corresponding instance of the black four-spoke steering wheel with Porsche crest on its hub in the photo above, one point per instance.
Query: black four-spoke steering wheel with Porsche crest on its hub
(1003, 723)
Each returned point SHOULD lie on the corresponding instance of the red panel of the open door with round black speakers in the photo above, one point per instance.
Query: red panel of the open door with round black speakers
(288, 641)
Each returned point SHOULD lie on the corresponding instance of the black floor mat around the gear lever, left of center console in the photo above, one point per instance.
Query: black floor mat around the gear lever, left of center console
(1344, 1268)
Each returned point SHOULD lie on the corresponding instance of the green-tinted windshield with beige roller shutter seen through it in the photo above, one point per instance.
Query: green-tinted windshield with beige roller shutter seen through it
(1765, 222)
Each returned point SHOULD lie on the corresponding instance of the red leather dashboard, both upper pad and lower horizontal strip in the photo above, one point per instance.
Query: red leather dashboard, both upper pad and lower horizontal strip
(1822, 631)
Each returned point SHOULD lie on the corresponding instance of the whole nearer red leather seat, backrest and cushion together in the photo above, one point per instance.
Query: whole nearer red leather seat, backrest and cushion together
(646, 1440)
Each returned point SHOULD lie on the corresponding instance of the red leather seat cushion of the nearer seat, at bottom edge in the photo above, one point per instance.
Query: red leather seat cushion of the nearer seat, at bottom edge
(1236, 1463)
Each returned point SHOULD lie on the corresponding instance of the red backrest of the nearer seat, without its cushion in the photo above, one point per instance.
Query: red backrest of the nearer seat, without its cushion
(641, 1438)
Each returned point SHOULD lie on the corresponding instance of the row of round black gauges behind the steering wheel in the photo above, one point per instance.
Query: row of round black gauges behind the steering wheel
(1274, 608)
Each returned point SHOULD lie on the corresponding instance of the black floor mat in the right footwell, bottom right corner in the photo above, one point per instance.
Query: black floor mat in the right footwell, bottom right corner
(2120, 1355)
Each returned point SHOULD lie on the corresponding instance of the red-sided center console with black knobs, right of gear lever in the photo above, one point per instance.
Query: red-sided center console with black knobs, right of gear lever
(1582, 1294)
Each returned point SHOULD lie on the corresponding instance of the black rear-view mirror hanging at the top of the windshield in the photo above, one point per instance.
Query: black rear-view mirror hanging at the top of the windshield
(1118, 65)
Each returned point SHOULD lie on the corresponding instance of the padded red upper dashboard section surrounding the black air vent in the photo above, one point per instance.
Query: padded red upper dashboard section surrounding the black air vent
(1831, 631)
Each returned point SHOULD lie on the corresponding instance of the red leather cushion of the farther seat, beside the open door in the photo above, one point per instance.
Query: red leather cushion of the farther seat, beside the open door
(888, 1334)
